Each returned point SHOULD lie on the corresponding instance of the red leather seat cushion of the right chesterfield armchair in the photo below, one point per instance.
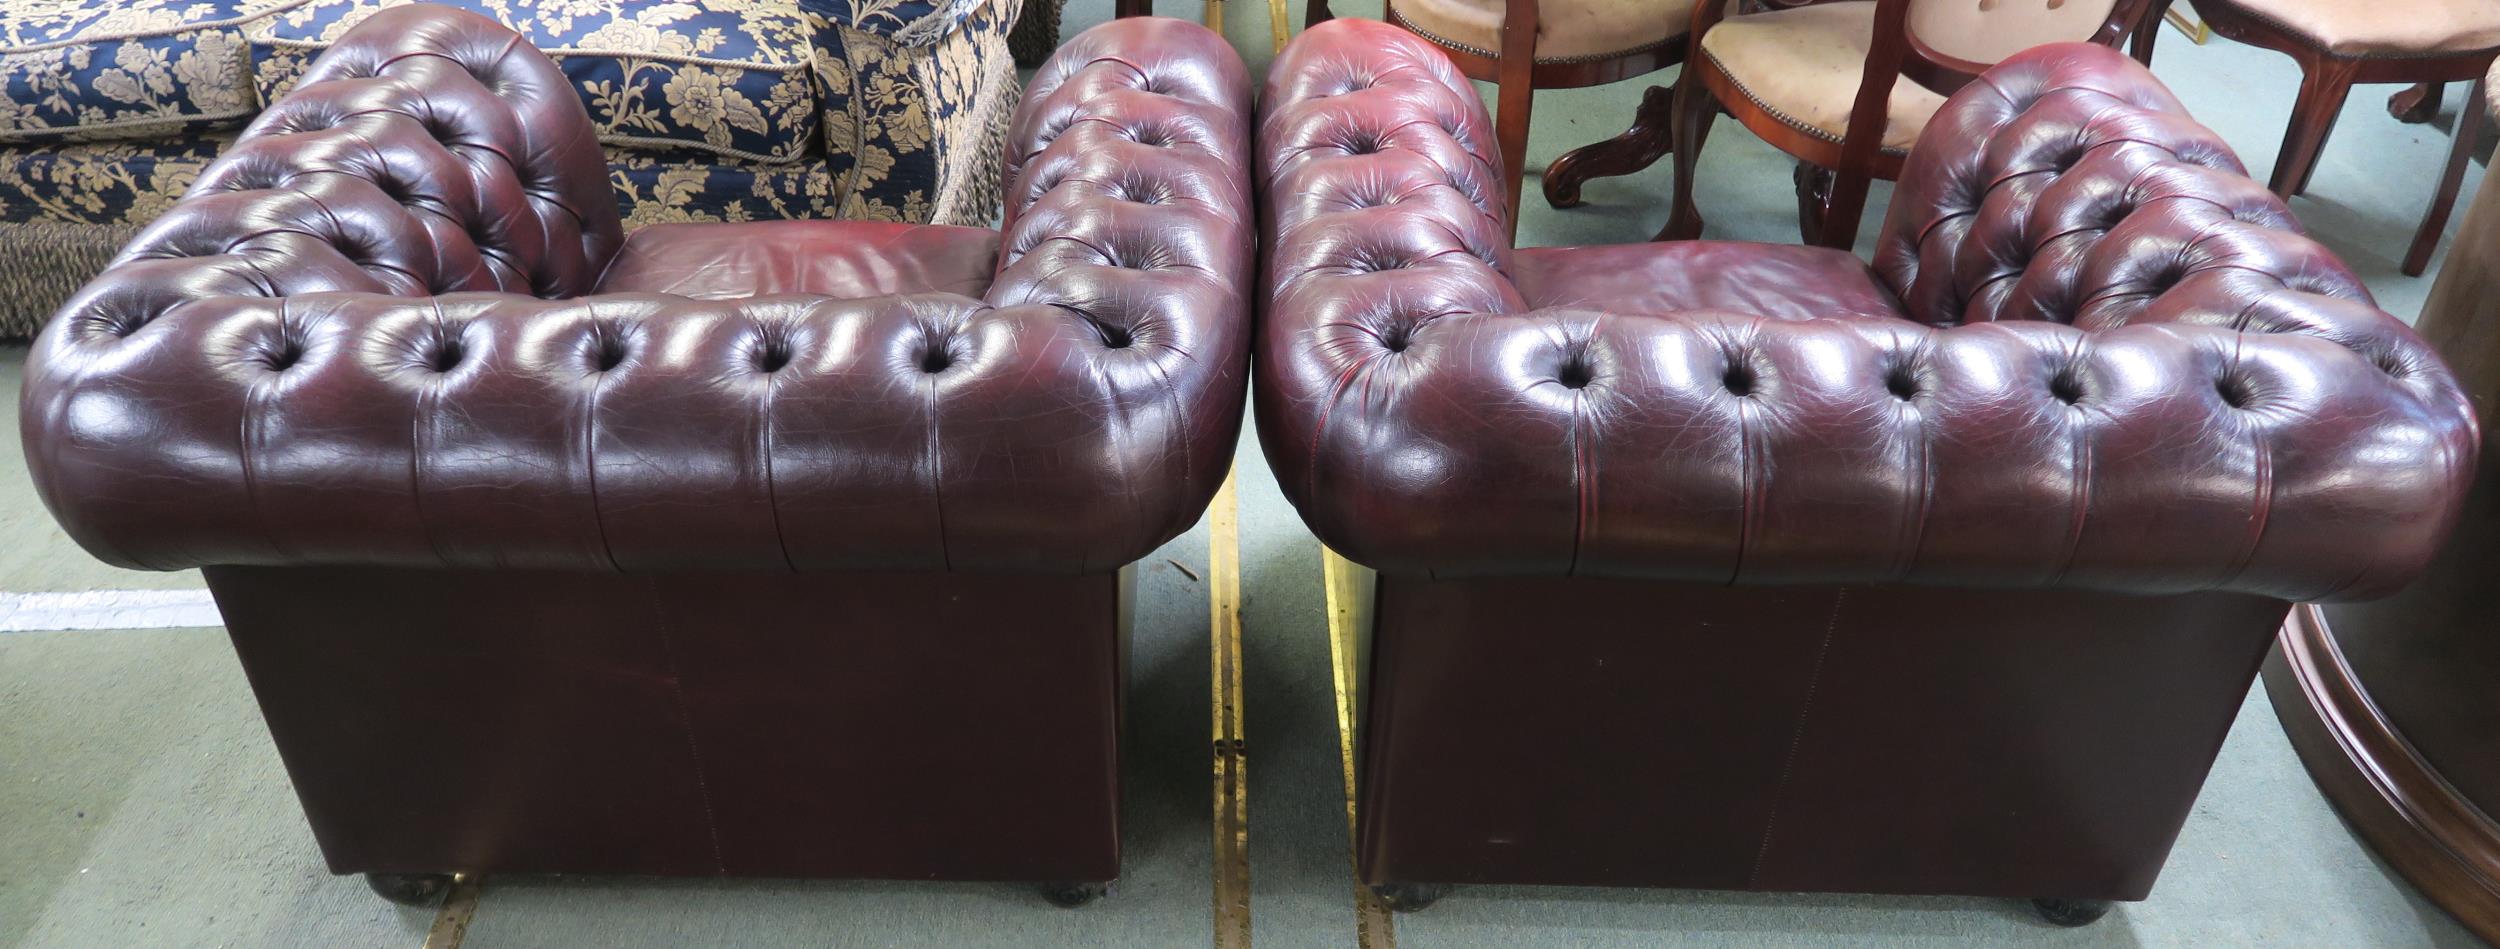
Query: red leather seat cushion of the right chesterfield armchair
(1681, 276)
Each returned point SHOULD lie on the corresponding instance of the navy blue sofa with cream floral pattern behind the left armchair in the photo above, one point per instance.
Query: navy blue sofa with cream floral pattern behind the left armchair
(706, 109)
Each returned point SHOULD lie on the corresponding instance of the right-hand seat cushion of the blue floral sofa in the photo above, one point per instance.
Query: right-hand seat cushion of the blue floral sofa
(721, 76)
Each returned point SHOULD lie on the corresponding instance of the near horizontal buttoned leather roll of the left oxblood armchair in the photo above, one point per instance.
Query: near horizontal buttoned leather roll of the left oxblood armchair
(616, 433)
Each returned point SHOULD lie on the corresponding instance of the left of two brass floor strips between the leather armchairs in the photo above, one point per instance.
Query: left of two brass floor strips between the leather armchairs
(1226, 708)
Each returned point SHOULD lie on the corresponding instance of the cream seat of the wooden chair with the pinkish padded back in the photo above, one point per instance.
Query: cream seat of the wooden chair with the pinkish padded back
(1804, 66)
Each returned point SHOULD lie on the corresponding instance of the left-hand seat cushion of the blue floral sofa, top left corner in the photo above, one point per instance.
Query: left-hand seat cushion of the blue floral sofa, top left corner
(124, 69)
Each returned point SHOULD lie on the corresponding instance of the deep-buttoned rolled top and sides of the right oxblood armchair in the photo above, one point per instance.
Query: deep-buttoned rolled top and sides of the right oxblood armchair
(2226, 408)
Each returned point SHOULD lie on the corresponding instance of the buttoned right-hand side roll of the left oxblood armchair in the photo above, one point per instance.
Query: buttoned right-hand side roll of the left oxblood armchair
(1129, 214)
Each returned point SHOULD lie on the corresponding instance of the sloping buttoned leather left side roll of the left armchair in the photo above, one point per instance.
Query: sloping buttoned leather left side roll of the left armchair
(426, 154)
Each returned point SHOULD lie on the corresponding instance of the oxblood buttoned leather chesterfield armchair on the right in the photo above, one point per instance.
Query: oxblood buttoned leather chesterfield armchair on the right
(1759, 568)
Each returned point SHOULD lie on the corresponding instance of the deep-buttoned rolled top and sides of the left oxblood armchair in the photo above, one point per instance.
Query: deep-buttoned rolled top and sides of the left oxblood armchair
(266, 381)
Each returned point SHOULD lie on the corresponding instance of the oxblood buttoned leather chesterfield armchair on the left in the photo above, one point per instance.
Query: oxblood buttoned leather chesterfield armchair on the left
(769, 551)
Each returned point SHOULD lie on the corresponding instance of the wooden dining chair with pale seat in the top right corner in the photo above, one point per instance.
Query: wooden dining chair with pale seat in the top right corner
(2341, 44)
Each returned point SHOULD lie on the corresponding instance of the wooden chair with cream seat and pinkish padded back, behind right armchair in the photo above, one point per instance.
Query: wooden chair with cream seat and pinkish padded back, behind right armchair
(1846, 86)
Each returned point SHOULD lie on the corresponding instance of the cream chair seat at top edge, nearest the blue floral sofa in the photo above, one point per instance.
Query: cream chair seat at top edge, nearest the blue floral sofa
(1566, 29)
